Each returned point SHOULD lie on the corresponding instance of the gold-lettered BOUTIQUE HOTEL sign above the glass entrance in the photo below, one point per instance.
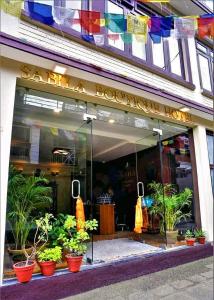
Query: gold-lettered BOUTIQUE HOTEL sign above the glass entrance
(100, 91)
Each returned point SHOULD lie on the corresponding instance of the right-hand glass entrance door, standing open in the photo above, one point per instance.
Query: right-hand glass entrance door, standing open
(150, 188)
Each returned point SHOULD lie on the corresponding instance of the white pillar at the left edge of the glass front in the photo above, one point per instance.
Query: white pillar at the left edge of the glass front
(7, 96)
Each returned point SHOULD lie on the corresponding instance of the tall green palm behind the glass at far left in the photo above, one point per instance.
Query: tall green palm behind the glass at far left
(26, 196)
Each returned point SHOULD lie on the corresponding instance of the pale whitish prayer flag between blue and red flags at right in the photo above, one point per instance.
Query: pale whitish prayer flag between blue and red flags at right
(184, 28)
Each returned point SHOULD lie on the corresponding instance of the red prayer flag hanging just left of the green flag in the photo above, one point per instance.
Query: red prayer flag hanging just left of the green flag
(90, 21)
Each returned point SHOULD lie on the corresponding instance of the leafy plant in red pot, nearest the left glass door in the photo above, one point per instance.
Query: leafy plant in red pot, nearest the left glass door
(75, 242)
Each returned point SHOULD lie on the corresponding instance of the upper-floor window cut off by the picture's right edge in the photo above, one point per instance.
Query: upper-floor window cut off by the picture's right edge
(205, 66)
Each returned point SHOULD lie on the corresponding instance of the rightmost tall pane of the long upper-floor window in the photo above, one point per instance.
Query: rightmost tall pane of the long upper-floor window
(174, 53)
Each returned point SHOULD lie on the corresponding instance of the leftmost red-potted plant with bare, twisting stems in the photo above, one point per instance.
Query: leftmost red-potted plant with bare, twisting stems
(24, 269)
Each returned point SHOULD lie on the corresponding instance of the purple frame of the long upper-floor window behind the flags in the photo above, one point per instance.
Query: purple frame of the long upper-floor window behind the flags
(186, 74)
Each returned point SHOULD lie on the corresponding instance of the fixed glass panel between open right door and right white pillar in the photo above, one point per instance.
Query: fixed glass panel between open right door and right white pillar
(177, 179)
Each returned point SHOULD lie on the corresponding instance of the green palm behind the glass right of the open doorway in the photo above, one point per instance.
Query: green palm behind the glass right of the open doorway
(170, 205)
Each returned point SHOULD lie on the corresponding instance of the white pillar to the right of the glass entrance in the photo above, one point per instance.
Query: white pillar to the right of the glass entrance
(204, 180)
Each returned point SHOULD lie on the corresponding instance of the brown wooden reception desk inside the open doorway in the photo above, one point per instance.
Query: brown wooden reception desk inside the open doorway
(107, 225)
